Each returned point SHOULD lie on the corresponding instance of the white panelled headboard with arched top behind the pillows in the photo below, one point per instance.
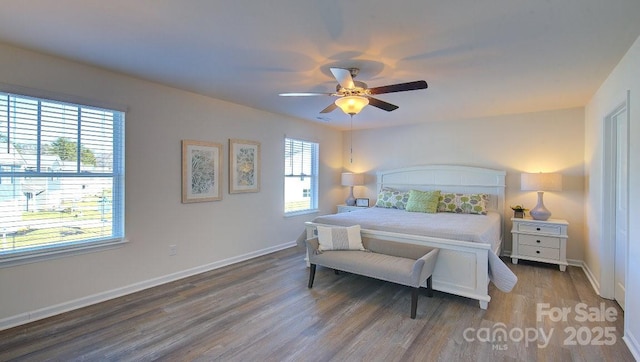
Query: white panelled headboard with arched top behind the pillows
(448, 178)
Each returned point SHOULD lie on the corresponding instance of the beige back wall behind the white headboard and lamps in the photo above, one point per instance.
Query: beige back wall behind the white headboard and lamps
(551, 141)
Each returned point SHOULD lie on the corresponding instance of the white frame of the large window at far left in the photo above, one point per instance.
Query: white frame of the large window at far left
(116, 174)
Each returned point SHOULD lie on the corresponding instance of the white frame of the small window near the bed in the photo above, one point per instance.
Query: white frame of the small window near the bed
(314, 175)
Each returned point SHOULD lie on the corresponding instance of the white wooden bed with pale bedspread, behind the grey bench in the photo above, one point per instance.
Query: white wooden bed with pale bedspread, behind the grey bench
(469, 244)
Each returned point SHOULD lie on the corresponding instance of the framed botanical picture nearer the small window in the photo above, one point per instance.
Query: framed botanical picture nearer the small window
(244, 166)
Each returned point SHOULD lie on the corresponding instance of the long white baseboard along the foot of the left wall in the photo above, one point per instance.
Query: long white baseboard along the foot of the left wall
(50, 311)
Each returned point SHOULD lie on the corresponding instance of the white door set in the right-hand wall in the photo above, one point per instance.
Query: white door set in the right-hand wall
(621, 204)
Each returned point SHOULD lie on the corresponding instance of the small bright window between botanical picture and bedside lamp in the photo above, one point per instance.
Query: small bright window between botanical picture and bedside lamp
(300, 176)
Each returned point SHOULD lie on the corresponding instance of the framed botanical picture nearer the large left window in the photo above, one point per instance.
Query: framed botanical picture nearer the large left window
(201, 171)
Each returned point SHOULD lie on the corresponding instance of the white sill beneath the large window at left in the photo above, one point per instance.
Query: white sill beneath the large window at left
(33, 256)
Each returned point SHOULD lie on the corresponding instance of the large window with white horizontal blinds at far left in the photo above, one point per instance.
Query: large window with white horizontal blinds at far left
(62, 172)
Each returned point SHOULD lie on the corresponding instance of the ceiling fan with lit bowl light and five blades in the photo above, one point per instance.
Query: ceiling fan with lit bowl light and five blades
(354, 95)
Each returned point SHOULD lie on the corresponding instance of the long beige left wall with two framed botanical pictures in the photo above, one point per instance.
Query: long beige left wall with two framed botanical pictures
(206, 234)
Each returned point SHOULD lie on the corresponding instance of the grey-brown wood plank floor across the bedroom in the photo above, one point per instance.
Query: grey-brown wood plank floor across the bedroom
(261, 310)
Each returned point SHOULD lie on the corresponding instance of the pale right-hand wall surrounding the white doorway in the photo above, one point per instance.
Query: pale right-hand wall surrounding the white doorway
(626, 76)
